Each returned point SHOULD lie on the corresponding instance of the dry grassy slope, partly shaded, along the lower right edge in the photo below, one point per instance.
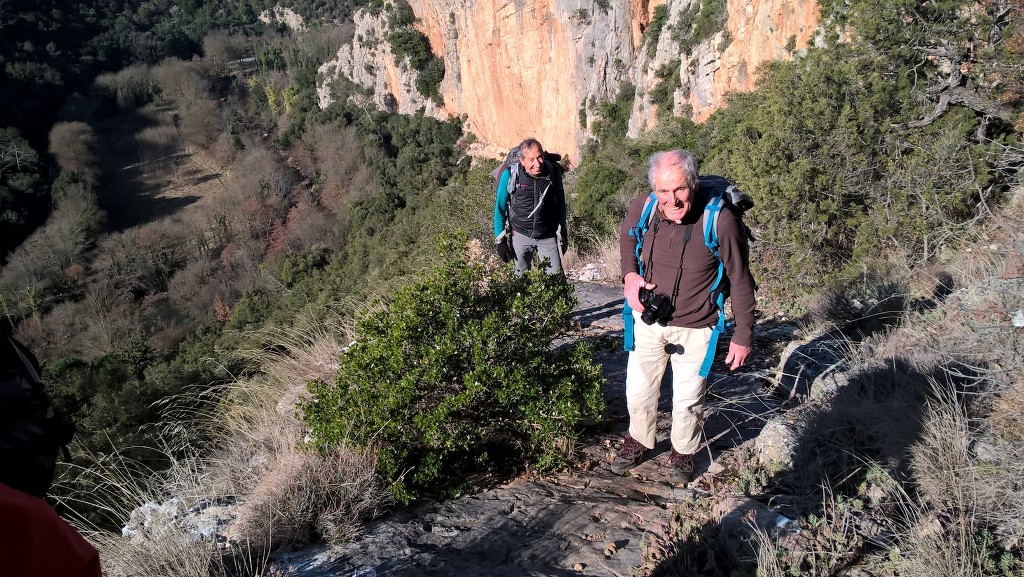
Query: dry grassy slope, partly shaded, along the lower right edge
(940, 399)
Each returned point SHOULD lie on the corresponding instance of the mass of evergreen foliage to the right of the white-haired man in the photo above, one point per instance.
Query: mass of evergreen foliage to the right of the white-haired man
(848, 153)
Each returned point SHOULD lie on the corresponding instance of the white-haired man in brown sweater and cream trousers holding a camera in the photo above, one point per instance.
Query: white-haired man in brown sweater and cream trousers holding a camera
(678, 265)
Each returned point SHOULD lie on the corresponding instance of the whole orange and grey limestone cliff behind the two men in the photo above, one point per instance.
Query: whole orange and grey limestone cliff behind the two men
(522, 68)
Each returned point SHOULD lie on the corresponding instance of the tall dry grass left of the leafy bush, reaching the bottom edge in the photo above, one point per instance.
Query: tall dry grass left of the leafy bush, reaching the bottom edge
(254, 458)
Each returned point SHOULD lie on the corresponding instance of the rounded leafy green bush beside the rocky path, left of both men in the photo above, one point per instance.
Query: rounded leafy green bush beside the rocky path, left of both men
(459, 376)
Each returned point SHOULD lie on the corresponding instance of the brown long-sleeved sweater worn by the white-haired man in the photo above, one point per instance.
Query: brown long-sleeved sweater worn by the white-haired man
(663, 243)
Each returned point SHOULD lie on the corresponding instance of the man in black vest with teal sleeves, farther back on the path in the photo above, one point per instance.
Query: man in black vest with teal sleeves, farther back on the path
(533, 210)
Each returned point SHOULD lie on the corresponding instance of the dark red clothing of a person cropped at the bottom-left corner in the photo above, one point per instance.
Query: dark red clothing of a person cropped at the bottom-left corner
(36, 543)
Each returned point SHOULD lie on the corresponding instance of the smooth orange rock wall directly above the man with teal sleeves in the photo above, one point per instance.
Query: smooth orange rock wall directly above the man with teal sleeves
(516, 65)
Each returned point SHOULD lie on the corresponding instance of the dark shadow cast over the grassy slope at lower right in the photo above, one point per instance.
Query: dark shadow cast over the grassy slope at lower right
(872, 424)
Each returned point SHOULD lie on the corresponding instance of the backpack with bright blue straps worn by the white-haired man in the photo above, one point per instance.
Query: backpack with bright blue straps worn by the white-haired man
(722, 194)
